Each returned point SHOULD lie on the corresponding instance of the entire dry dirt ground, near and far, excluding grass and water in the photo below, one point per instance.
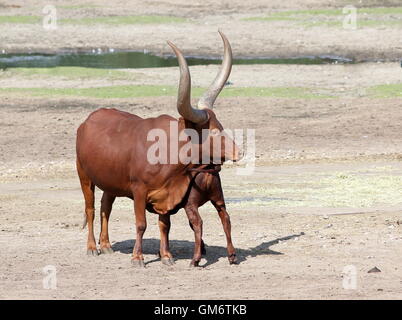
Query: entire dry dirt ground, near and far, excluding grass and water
(325, 193)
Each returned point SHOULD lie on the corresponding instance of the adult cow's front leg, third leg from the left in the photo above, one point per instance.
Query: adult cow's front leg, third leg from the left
(141, 225)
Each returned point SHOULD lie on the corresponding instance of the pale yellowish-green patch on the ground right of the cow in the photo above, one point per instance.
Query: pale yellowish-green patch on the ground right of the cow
(342, 189)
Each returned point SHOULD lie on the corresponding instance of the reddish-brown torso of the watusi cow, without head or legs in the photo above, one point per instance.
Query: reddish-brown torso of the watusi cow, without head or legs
(112, 151)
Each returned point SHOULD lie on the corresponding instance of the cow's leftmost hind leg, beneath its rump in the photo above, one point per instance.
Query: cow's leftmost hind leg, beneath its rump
(88, 189)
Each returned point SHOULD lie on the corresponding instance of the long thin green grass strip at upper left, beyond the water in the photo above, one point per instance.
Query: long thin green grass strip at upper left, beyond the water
(122, 20)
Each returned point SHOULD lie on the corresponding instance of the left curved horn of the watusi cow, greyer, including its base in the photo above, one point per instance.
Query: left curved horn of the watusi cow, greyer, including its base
(183, 99)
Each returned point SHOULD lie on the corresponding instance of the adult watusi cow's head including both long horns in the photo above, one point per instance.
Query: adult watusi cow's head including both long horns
(215, 143)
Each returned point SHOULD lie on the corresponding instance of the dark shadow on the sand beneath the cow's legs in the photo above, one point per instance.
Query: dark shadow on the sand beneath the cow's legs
(183, 249)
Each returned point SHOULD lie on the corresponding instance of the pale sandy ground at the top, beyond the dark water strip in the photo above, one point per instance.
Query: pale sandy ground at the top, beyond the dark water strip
(249, 38)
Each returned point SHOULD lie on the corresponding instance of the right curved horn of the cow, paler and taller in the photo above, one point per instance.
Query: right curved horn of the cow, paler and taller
(209, 97)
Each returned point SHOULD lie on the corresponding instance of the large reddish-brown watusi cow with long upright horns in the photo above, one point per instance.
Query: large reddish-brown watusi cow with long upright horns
(112, 154)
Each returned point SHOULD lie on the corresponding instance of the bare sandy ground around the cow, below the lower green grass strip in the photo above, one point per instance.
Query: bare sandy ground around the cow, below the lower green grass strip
(284, 251)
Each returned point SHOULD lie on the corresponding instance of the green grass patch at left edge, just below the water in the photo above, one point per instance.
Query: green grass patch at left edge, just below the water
(69, 73)
